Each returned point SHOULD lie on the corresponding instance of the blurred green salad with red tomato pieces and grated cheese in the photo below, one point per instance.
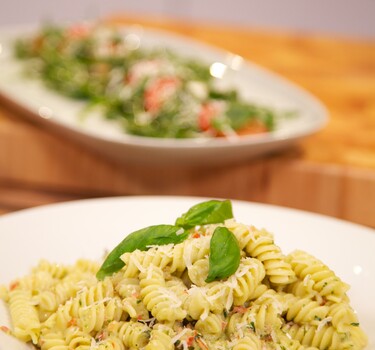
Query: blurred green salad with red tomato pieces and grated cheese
(151, 92)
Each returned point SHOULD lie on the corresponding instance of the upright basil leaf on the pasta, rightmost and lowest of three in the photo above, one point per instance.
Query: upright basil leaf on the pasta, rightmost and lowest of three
(225, 255)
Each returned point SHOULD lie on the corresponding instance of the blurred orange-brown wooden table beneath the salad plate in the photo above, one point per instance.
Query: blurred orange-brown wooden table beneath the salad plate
(332, 172)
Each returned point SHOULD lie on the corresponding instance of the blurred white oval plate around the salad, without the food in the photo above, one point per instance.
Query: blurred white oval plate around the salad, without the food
(254, 83)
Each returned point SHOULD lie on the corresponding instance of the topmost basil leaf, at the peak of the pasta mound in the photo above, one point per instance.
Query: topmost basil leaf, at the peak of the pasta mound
(210, 212)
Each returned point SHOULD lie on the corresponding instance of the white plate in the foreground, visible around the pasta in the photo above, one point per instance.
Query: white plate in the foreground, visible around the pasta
(68, 231)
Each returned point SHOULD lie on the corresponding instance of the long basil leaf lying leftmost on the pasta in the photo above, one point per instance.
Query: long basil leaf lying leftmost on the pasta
(141, 239)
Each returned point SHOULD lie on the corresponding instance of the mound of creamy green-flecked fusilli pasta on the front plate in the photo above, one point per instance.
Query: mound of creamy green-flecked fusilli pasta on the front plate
(160, 298)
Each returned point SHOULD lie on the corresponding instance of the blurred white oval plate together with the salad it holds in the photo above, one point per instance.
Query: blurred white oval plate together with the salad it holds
(128, 90)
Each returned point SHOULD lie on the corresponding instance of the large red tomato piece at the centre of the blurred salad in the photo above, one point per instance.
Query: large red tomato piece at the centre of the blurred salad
(160, 90)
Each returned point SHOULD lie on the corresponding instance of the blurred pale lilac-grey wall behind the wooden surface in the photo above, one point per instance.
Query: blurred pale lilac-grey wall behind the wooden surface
(354, 18)
